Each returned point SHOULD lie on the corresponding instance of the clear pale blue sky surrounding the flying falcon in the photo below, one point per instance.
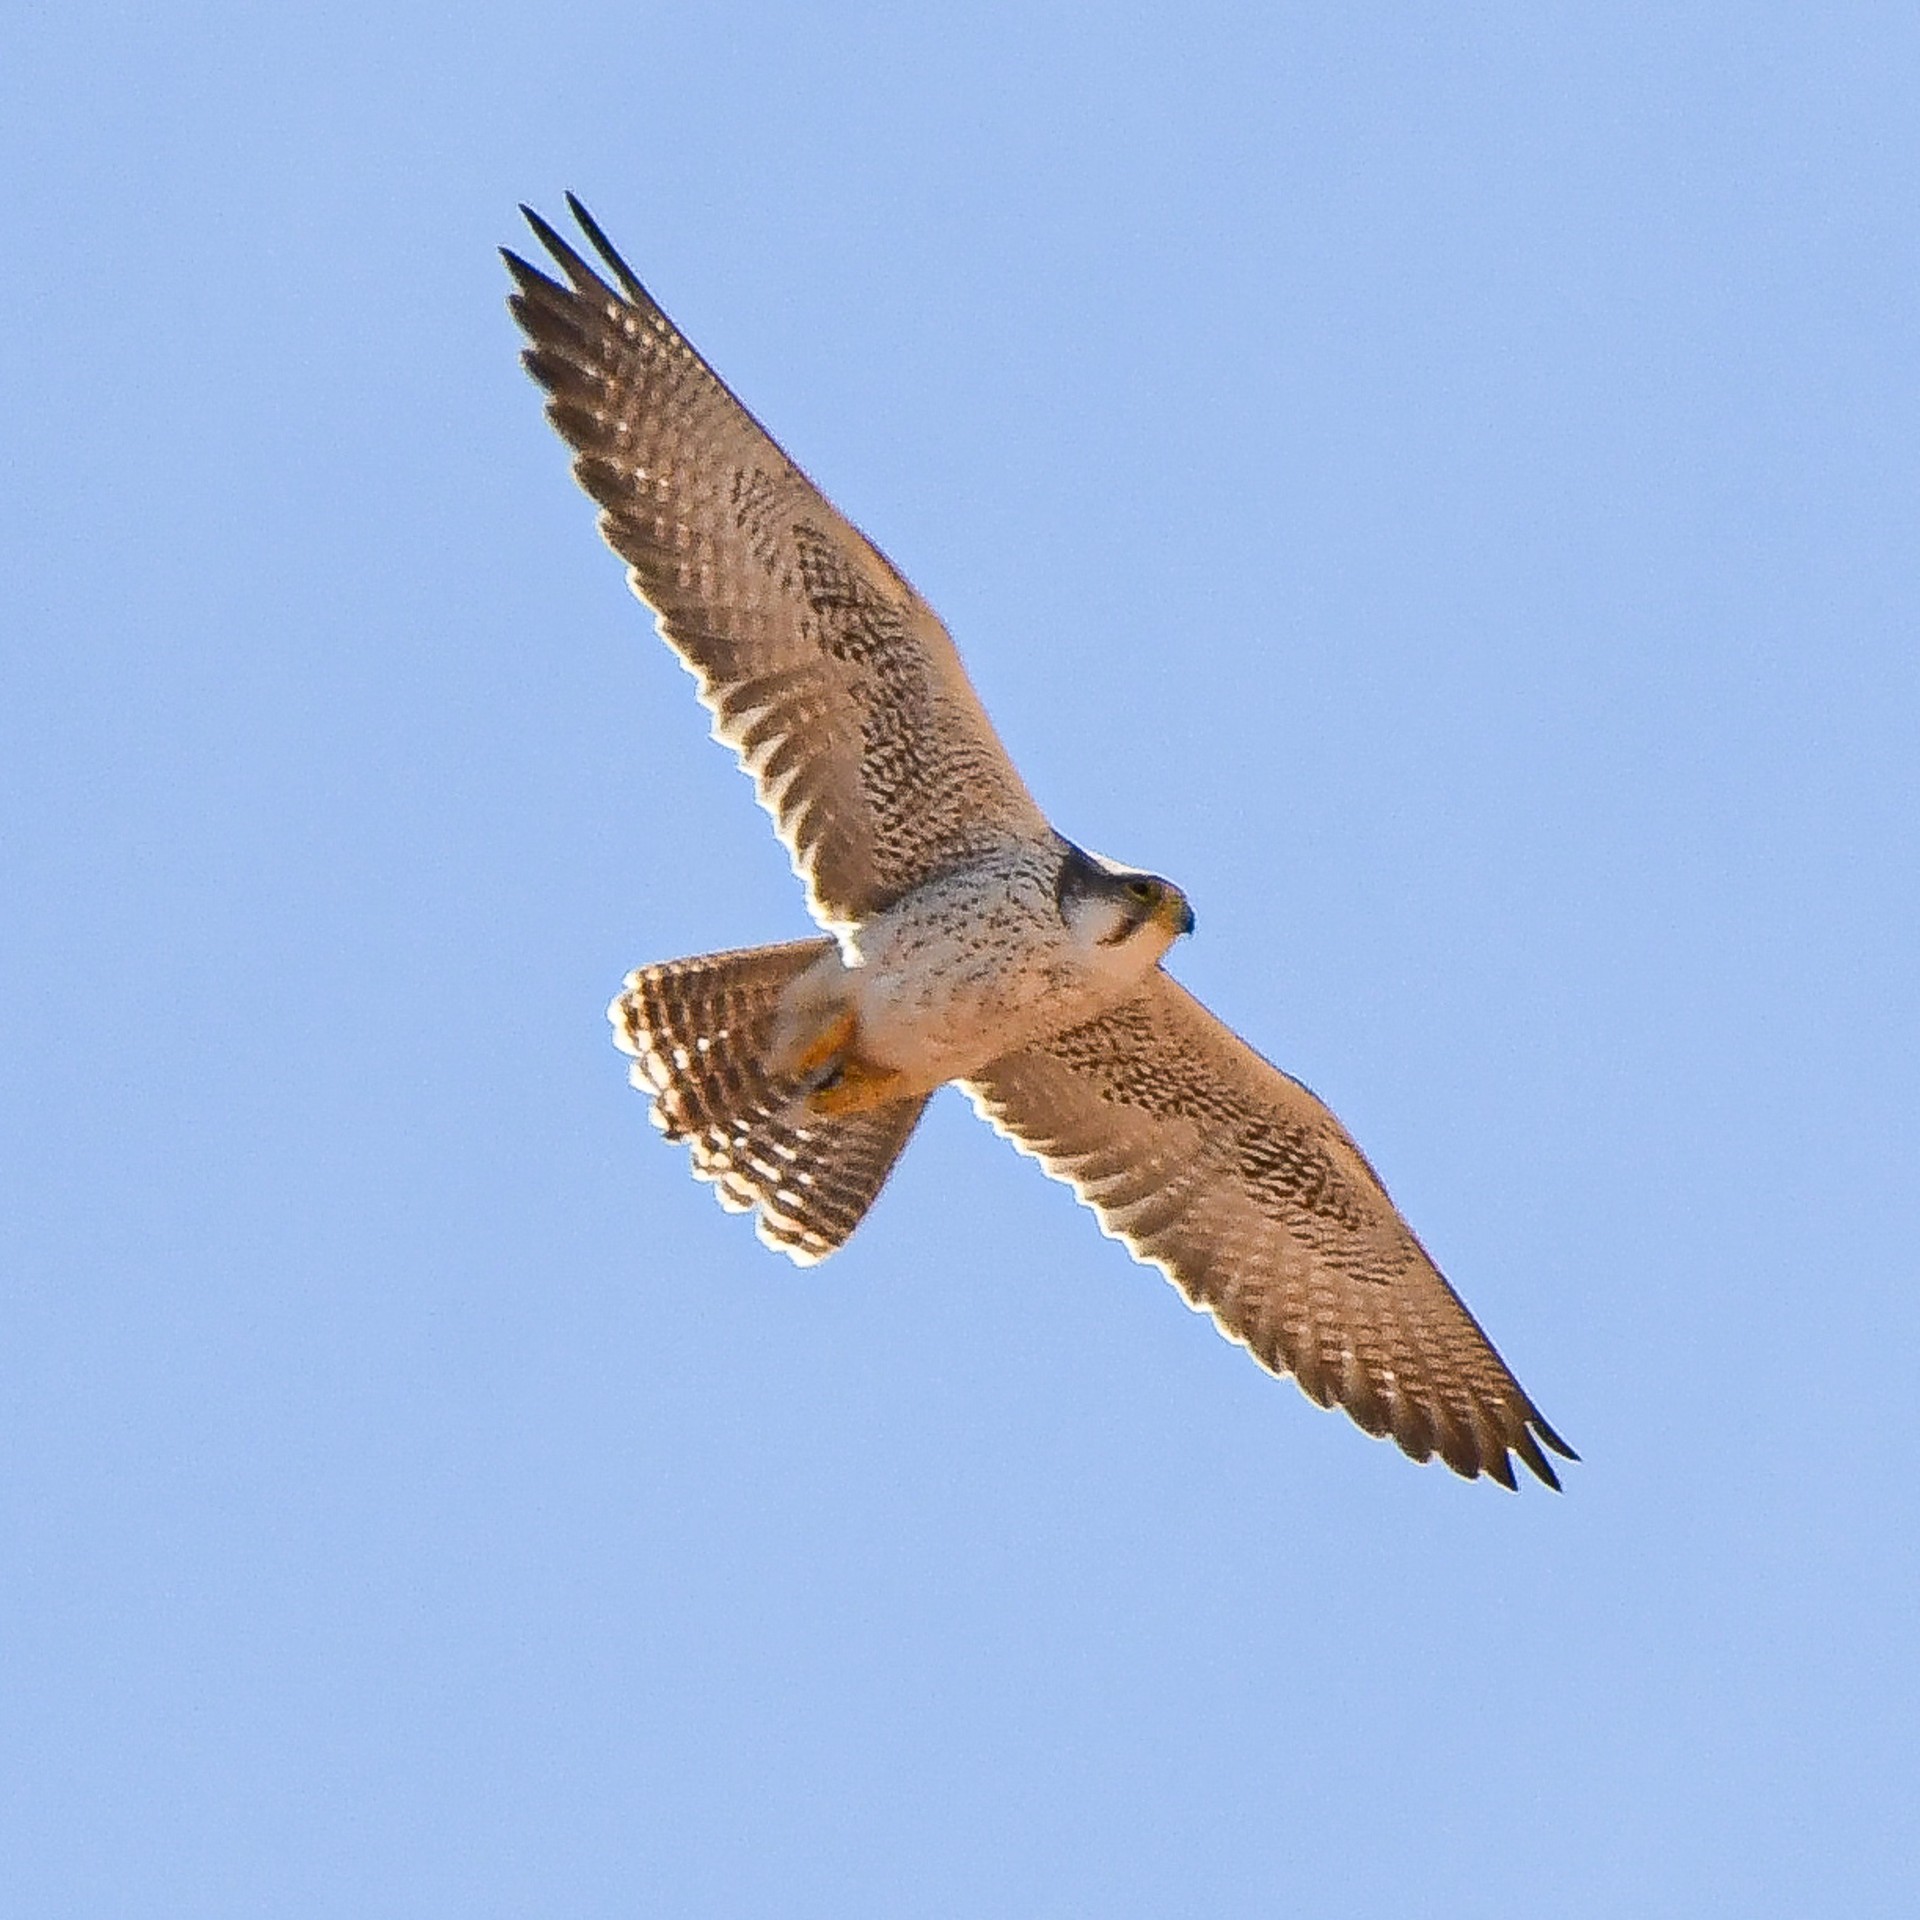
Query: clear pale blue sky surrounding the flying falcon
(1435, 479)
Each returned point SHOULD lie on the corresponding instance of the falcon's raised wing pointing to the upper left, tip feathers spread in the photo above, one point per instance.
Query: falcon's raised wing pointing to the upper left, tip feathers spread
(825, 671)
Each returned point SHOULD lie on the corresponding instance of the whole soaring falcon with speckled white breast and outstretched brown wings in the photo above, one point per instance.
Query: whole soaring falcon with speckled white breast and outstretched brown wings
(963, 938)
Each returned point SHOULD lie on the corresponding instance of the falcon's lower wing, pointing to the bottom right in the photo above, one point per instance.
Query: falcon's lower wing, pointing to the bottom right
(1243, 1188)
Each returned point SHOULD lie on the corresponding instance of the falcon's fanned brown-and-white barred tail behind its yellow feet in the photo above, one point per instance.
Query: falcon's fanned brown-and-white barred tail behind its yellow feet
(700, 1034)
